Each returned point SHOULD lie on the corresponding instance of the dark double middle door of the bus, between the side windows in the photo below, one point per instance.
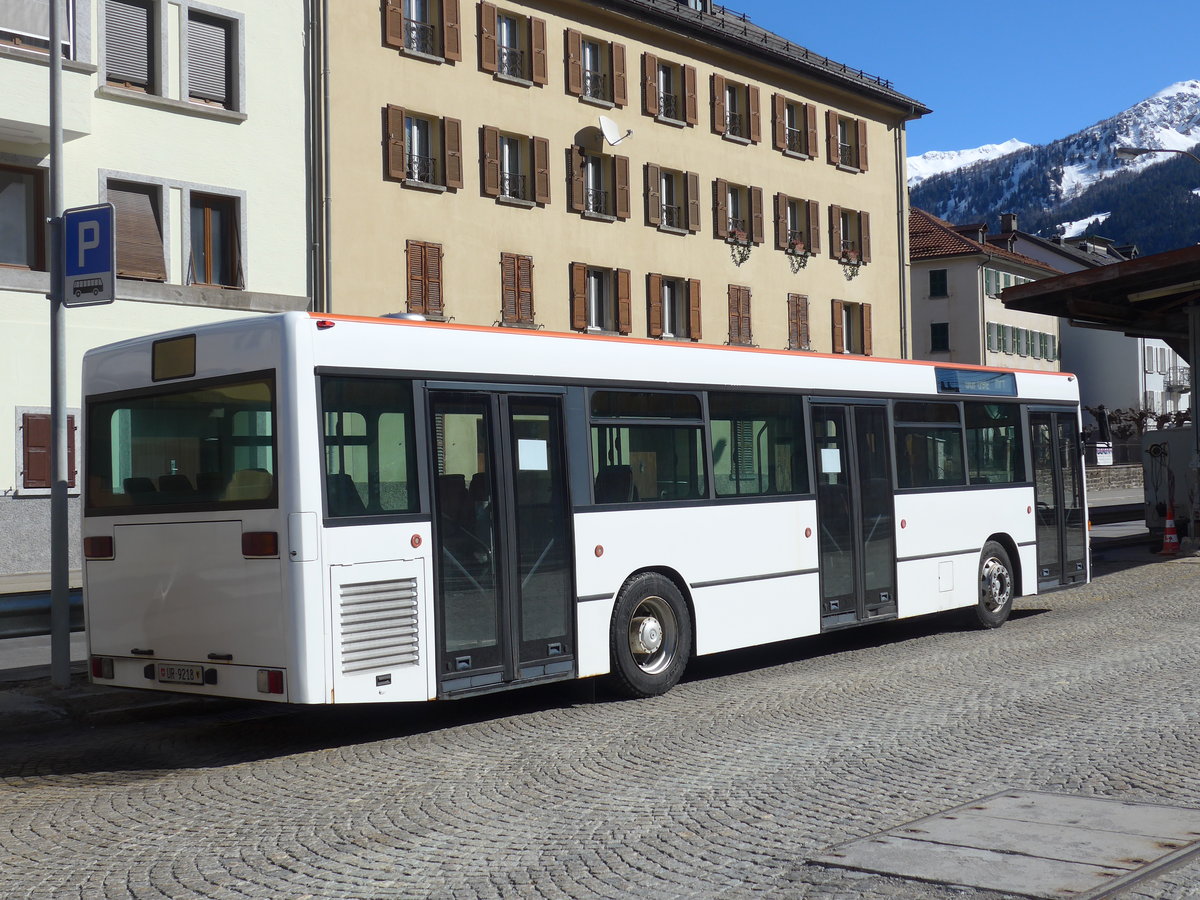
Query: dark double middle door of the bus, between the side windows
(855, 513)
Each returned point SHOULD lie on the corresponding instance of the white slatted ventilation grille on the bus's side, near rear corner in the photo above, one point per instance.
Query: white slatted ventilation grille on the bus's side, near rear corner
(380, 626)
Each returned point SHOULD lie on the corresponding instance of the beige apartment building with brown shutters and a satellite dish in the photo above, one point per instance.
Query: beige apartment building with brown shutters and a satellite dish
(629, 167)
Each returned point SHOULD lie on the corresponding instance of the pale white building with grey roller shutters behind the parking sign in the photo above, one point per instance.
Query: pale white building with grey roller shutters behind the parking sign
(191, 119)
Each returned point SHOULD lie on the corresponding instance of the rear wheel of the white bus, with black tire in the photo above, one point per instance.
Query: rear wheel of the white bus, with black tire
(651, 637)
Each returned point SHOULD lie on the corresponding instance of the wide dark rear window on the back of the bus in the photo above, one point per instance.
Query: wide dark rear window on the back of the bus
(209, 446)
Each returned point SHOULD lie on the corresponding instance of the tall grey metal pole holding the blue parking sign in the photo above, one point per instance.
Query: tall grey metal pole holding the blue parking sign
(61, 609)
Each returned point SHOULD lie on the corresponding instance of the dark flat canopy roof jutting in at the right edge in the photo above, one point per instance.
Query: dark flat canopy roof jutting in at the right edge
(1150, 297)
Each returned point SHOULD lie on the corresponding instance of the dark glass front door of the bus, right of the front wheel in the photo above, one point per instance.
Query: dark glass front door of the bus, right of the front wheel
(1059, 495)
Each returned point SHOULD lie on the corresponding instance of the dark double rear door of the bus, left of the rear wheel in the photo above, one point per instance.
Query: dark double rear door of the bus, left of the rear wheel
(503, 533)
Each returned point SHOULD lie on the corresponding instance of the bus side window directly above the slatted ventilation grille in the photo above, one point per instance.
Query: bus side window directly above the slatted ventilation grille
(369, 447)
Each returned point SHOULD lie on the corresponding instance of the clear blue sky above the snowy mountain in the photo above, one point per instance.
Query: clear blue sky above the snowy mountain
(1034, 71)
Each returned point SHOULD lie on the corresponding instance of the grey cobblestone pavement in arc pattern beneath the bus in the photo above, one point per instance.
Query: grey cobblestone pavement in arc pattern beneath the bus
(721, 789)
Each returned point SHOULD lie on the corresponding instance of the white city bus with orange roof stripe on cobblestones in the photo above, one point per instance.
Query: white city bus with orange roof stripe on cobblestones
(322, 509)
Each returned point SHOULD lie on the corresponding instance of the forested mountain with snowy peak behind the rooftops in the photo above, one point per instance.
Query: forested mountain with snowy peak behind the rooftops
(1051, 185)
